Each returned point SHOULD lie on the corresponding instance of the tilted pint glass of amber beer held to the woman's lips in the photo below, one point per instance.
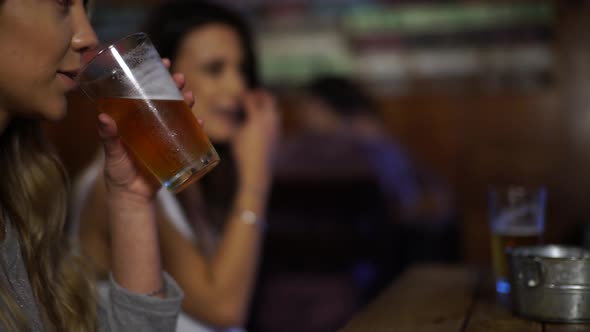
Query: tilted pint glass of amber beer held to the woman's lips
(129, 82)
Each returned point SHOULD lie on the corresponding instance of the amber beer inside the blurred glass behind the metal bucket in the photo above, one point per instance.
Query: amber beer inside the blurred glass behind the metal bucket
(504, 239)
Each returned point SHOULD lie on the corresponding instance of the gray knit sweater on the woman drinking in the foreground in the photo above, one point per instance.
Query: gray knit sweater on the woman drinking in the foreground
(119, 310)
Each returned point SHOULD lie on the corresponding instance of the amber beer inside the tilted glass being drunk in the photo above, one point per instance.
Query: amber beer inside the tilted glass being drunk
(164, 136)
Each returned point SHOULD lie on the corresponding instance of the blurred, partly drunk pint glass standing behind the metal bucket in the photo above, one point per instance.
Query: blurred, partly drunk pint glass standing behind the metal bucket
(517, 218)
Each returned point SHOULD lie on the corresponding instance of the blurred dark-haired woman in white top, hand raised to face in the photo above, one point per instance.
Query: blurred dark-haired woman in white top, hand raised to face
(210, 233)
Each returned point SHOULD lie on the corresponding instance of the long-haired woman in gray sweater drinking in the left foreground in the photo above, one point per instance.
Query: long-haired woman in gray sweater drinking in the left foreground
(42, 284)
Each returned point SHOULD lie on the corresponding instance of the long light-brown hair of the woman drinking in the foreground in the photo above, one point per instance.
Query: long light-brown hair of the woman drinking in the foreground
(33, 195)
